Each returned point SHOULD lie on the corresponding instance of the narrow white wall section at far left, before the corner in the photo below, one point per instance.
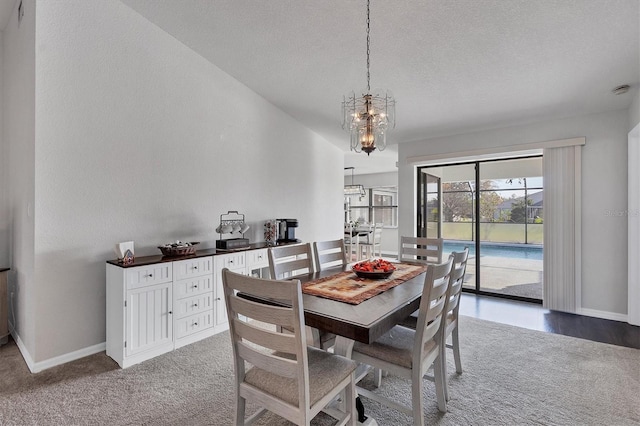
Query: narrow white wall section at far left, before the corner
(18, 133)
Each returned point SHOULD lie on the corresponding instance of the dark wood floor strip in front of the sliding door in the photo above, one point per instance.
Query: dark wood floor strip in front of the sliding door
(535, 317)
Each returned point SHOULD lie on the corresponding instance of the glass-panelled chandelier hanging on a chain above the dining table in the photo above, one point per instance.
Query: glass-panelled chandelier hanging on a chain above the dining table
(368, 115)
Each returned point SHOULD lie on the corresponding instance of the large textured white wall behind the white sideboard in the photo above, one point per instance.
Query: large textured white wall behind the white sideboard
(138, 138)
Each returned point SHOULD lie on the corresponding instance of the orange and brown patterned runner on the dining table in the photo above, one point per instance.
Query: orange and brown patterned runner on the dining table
(349, 288)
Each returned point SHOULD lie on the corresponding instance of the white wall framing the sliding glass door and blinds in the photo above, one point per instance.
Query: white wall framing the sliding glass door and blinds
(604, 189)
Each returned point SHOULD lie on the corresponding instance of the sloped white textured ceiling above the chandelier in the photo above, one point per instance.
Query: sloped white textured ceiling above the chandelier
(454, 66)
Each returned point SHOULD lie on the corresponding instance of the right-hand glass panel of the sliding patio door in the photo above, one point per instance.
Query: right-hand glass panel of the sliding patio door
(510, 216)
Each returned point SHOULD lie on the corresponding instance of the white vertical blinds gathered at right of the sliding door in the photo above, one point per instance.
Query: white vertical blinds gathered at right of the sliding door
(562, 237)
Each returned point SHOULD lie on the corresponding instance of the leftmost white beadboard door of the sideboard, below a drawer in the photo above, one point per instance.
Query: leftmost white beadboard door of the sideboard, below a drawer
(149, 318)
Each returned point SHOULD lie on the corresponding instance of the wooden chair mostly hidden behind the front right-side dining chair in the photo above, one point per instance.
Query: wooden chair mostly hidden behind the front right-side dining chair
(451, 314)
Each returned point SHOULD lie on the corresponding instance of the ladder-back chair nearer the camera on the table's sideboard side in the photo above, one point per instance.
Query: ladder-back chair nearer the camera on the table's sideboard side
(285, 262)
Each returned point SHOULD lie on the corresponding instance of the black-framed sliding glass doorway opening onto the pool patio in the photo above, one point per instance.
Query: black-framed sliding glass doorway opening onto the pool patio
(494, 207)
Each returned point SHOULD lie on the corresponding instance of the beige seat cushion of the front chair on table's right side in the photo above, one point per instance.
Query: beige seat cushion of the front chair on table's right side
(395, 347)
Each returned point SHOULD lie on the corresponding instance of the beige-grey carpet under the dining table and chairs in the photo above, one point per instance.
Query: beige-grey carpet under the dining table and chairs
(512, 376)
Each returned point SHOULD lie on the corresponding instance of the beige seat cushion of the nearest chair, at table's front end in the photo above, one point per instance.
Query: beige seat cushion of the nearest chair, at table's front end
(326, 370)
